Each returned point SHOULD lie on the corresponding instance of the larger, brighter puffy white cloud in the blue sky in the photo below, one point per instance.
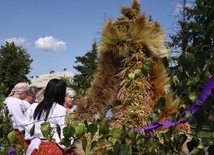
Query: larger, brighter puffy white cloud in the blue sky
(50, 44)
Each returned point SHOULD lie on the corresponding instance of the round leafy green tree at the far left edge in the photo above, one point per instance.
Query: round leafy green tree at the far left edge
(14, 66)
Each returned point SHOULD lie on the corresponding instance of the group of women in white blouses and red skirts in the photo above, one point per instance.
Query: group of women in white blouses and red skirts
(29, 108)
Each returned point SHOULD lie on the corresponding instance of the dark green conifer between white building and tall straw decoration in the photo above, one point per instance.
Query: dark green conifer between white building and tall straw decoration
(86, 68)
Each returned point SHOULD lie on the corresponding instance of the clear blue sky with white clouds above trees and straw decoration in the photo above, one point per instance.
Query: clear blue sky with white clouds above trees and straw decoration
(54, 32)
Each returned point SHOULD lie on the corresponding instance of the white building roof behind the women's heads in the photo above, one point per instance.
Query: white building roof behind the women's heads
(42, 80)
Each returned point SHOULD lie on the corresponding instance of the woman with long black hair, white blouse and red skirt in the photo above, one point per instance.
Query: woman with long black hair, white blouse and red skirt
(50, 109)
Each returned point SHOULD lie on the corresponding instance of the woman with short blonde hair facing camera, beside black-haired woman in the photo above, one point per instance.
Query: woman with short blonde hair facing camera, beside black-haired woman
(69, 100)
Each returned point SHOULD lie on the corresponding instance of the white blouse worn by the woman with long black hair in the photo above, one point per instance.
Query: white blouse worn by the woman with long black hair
(56, 116)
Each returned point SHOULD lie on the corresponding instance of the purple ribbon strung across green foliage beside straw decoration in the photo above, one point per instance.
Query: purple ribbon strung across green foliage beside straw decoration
(206, 91)
